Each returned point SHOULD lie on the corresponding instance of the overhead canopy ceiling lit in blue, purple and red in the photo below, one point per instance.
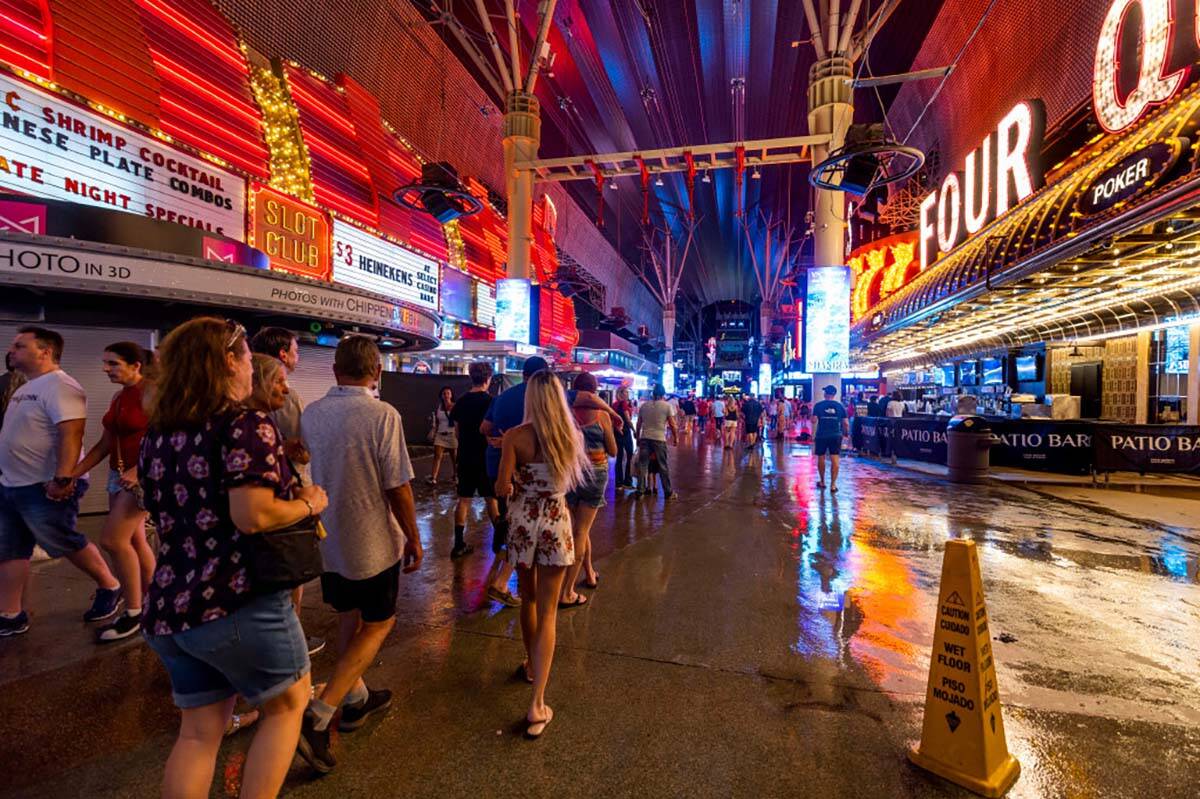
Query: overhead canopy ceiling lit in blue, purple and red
(639, 75)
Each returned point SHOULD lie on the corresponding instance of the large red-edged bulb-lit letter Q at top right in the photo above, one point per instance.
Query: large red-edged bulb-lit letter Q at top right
(1115, 113)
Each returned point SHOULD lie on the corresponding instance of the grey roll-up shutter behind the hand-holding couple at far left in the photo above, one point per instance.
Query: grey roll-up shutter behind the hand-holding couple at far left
(81, 359)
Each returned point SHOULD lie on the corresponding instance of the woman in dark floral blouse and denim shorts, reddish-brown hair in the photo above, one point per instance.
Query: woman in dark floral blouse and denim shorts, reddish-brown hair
(214, 472)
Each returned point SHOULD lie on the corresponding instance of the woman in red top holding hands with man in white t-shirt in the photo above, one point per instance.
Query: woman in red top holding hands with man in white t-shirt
(125, 532)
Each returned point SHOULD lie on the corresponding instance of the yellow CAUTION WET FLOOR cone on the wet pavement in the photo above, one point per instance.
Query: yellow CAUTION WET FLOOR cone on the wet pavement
(963, 736)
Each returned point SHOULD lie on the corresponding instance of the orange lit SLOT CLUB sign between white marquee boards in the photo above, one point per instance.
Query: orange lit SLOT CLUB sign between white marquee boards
(293, 235)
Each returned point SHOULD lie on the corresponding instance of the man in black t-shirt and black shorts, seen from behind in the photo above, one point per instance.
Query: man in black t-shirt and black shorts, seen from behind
(469, 416)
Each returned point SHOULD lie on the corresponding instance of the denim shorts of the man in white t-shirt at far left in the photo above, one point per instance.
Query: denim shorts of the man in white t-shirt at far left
(28, 516)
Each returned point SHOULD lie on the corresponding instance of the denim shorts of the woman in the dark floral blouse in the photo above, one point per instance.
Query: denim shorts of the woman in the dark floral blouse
(259, 652)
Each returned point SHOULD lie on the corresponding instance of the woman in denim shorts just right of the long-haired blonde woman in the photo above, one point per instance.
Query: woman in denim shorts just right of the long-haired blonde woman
(587, 500)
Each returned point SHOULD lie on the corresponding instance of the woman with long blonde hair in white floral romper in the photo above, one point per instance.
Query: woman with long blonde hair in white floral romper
(541, 461)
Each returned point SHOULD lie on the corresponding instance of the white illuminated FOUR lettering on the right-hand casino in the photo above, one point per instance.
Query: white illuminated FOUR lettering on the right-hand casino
(1001, 173)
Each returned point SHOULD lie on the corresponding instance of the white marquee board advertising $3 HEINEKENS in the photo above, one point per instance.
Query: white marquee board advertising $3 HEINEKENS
(380, 266)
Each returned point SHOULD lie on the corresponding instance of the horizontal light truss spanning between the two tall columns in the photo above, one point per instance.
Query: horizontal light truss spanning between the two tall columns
(760, 153)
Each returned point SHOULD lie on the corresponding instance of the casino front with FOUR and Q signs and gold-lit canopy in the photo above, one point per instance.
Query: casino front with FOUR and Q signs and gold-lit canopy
(1065, 289)
